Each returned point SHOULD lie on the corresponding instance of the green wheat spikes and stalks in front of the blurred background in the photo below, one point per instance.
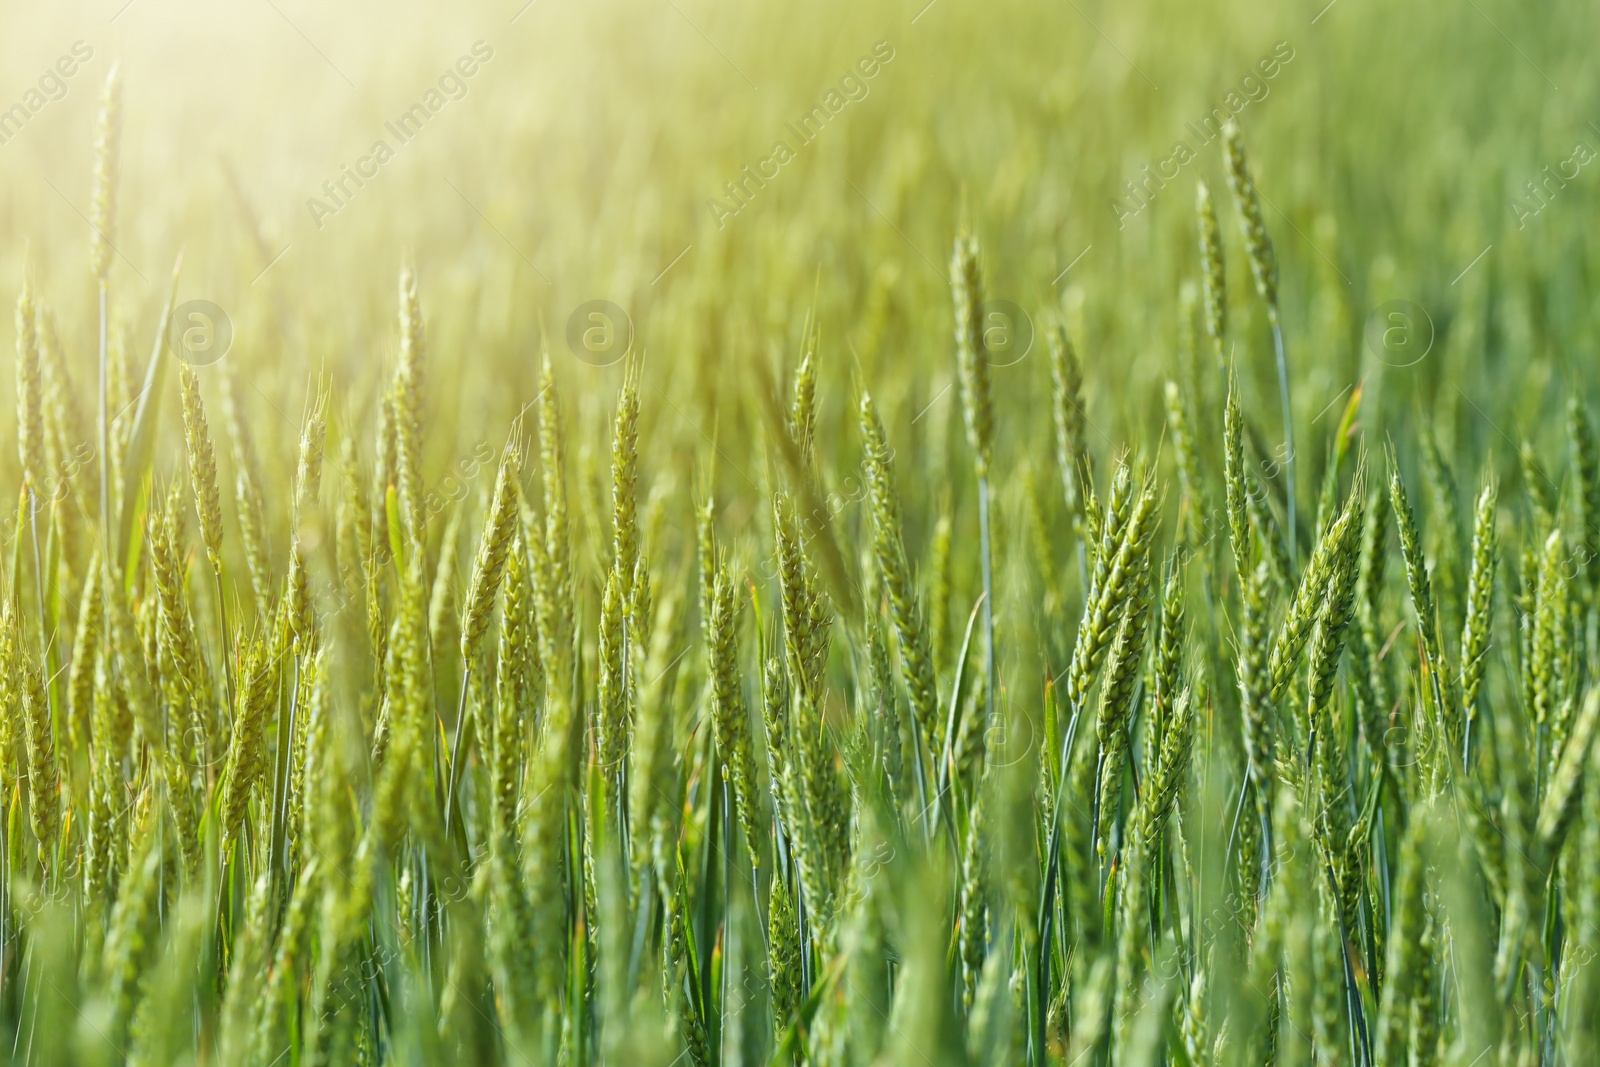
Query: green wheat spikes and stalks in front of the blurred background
(374, 799)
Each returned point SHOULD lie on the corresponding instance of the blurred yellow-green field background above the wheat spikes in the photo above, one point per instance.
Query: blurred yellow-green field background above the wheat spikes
(580, 161)
